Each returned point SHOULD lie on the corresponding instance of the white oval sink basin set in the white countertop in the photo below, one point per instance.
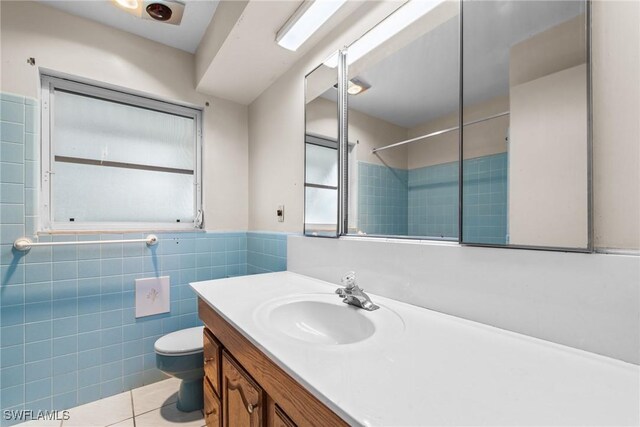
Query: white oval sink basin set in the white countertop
(323, 319)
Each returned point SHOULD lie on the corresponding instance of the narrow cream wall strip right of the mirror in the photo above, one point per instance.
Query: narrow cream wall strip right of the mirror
(616, 123)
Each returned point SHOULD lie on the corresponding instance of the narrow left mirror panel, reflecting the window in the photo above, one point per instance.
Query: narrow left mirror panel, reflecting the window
(321, 153)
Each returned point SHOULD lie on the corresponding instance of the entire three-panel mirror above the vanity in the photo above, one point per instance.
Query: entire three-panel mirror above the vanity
(467, 121)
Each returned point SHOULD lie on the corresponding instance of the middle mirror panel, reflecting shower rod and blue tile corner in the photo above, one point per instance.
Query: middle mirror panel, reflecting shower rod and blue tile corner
(404, 176)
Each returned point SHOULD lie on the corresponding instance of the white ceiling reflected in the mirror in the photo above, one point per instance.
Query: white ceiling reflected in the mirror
(419, 82)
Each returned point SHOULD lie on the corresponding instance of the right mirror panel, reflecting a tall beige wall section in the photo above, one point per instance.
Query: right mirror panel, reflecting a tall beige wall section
(525, 135)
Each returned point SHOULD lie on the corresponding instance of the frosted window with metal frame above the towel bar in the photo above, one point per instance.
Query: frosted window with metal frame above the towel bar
(112, 160)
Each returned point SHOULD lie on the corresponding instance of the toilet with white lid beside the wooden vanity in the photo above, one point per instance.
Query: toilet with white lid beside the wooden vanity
(180, 354)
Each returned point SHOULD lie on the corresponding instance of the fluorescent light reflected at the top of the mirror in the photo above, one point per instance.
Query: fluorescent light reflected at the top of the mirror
(406, 15)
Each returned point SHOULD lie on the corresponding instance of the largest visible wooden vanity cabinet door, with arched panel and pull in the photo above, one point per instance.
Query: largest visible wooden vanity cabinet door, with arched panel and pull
(242, 398)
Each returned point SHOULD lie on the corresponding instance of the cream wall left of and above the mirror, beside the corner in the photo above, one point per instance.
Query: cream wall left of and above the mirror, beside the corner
(276, 129)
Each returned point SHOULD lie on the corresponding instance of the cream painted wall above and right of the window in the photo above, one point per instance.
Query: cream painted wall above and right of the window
(79, 47)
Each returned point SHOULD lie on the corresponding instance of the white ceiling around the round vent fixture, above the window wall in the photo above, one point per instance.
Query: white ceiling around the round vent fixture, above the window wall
(186, 36)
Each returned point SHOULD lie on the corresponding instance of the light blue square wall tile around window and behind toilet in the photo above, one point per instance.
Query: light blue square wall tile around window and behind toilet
(68, 332)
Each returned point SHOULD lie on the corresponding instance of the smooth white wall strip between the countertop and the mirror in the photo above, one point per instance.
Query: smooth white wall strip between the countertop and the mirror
(586, 301)
